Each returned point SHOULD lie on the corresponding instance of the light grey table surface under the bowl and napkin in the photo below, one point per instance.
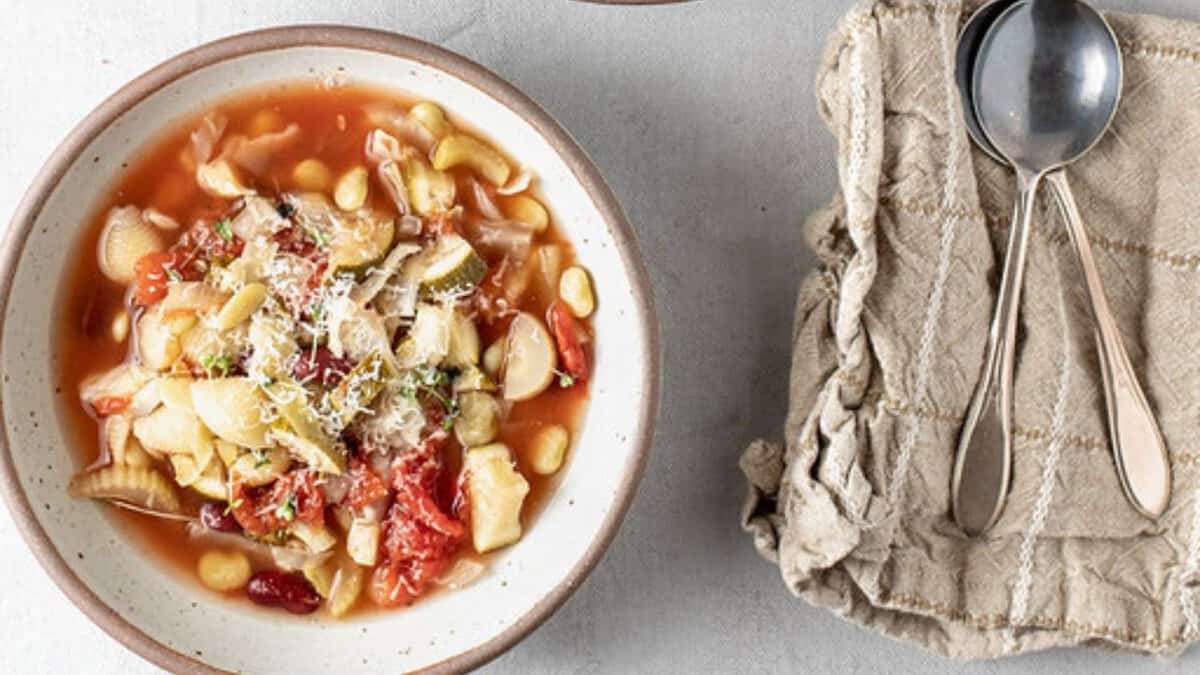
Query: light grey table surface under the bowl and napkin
(703, 118)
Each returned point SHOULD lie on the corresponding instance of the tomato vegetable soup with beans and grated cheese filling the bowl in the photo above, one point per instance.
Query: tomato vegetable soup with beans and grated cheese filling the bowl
(331, 349)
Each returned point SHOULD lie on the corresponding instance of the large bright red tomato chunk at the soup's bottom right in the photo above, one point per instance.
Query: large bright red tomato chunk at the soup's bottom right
(419, 537)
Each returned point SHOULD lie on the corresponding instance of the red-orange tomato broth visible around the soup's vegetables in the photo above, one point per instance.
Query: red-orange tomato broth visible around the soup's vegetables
(159, 176)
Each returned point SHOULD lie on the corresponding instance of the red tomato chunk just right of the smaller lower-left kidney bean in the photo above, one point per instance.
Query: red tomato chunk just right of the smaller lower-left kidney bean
(295, 497)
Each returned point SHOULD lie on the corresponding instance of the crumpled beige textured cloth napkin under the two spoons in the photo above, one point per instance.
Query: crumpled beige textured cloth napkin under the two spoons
(889, 343)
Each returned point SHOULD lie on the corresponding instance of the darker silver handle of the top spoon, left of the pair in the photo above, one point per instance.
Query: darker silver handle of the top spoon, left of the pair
(985, 458)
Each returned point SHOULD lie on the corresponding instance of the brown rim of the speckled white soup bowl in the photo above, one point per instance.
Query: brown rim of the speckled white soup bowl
(374, 41)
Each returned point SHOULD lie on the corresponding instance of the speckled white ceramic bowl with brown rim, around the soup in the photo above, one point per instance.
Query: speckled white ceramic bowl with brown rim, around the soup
(173, 623)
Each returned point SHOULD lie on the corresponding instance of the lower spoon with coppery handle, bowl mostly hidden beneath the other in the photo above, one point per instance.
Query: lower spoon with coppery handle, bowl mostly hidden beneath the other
(1138, 446)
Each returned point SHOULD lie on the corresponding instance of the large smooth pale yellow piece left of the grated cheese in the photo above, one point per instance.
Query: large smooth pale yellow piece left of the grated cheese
(235, 409)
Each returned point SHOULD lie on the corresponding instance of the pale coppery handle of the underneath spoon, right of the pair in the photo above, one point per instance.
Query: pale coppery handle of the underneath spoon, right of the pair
(1138, 446)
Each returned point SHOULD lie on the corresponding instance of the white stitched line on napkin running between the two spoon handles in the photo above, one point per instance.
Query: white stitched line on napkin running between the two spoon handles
(1046, 491)
